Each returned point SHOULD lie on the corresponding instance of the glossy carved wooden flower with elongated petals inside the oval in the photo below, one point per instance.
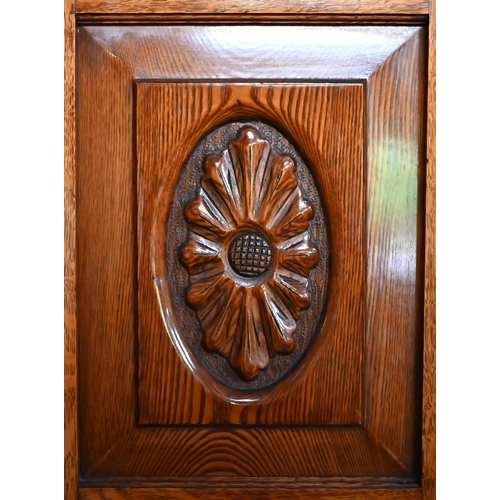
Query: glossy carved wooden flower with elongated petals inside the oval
(249, 253)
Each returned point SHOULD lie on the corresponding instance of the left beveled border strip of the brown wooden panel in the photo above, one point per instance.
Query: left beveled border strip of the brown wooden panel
(105, 249)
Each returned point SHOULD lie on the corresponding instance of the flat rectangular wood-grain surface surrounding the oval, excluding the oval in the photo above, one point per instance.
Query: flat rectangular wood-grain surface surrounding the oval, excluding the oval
(326, 386)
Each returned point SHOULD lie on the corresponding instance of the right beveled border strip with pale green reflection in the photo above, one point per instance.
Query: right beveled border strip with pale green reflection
(396, 149)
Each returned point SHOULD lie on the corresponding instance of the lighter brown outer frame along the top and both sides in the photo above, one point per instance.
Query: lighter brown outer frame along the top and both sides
(330, 11)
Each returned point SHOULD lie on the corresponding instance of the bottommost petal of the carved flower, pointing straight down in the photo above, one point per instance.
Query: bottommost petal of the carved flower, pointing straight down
(249, 352)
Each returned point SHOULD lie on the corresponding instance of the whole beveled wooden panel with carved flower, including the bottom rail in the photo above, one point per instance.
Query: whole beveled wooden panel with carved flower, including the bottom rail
(249, 257)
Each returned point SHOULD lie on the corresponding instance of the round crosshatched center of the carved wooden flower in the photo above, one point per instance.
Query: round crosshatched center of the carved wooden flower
(250, 255)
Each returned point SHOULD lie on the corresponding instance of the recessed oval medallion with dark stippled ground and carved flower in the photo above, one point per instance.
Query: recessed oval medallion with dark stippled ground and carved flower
(251, 242)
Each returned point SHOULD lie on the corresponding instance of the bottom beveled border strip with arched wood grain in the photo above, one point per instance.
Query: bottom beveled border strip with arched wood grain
(293, 455)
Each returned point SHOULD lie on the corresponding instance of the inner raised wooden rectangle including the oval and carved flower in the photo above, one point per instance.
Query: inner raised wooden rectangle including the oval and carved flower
(251, 170)
